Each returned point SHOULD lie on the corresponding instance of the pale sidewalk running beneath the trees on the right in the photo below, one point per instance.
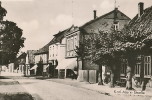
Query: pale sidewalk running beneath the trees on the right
(105, 89)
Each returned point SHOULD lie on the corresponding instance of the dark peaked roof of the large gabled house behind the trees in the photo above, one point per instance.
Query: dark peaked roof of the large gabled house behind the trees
(113, 12)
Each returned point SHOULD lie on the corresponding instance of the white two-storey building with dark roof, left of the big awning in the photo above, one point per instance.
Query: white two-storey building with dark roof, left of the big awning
(57, 54)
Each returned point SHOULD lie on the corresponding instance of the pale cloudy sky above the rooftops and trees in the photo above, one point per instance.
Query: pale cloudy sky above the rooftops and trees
(41, 19)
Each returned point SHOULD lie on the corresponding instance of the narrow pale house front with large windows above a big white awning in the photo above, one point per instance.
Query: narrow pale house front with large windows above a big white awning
(69, 60)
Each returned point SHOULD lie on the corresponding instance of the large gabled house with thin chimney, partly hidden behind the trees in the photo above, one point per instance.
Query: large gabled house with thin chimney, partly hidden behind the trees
(114, 19)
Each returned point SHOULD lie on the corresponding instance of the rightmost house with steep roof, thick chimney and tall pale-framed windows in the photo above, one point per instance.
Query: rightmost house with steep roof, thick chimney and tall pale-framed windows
(142, 22)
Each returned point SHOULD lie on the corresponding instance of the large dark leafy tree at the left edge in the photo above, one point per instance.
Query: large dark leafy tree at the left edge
(11, 38)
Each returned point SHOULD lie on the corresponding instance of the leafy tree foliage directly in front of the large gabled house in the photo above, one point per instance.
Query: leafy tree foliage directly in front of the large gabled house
(104, 47)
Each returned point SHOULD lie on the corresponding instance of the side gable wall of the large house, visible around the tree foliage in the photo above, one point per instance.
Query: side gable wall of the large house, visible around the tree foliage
(104, 24)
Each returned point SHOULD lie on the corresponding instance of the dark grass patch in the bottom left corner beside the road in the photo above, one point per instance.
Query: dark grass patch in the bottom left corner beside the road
(15, 96)
